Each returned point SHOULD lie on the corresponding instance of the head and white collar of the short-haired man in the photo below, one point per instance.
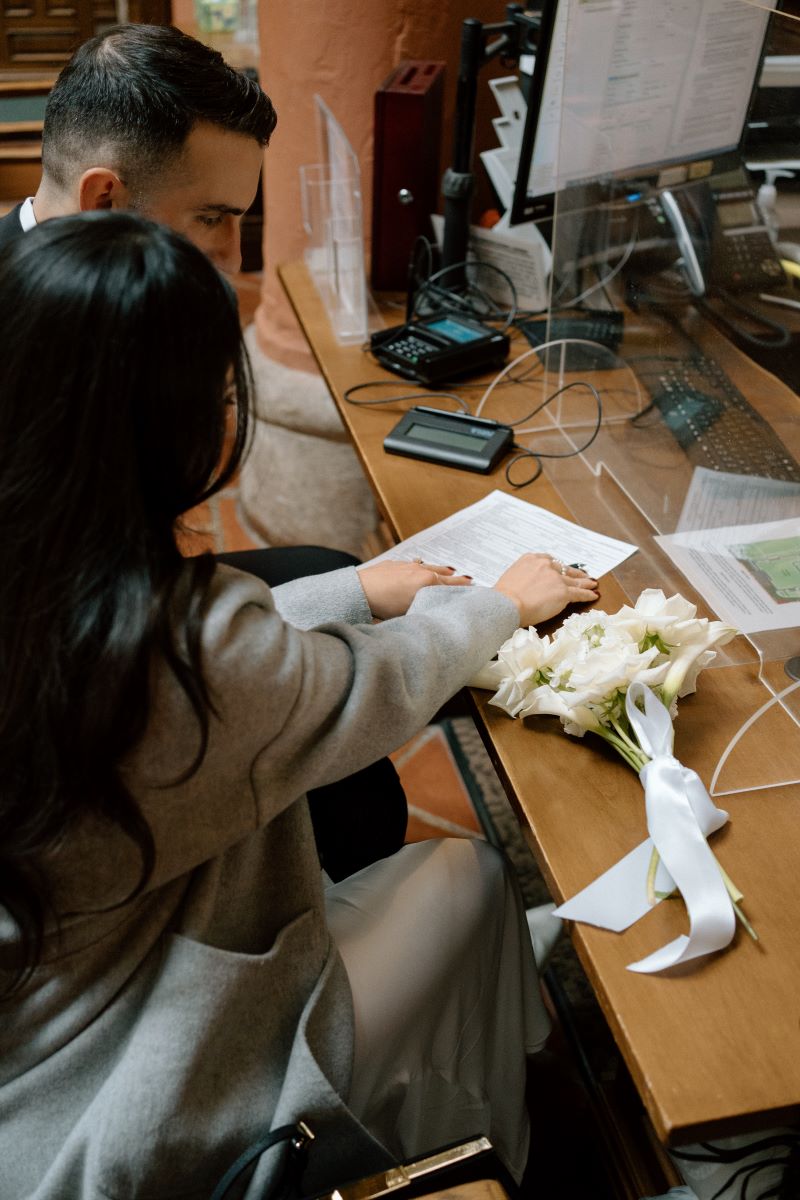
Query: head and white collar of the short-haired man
(147, 118)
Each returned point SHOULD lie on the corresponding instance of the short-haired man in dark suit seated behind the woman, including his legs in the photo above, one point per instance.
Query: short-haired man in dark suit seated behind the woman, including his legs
(147, 118)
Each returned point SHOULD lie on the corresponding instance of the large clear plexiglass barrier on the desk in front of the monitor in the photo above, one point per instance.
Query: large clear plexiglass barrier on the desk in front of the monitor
(673, 368)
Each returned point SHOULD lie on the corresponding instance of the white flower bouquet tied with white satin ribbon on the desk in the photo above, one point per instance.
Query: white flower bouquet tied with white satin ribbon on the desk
(619, 676)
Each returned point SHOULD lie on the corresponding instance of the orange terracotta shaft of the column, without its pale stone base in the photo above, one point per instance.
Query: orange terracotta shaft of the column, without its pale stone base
(342, 50)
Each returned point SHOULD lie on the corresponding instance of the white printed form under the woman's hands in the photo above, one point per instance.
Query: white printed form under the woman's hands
(486, 538)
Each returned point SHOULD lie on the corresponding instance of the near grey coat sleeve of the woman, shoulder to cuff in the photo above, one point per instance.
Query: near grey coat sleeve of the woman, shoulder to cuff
(294, 709)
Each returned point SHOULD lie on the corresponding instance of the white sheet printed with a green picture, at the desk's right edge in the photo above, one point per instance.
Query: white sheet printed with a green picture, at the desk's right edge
(749, 574)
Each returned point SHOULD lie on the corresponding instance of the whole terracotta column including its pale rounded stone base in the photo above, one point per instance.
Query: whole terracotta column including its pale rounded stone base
(302, 482)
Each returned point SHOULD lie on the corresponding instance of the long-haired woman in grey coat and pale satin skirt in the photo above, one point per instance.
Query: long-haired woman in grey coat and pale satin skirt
(177, 981)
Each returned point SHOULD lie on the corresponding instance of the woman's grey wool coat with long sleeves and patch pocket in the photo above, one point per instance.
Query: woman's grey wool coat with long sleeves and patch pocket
(167, 1031)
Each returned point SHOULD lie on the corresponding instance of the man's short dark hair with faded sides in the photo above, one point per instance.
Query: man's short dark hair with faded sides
(136, 92)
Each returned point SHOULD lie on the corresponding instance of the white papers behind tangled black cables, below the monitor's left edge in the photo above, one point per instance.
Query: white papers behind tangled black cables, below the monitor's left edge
(524, 257)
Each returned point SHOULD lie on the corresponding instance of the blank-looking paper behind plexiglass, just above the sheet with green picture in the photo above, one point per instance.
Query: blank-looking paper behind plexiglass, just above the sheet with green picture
(718, 499)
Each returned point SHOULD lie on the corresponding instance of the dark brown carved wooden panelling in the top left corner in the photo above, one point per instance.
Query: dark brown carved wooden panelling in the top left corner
(39, 37)
